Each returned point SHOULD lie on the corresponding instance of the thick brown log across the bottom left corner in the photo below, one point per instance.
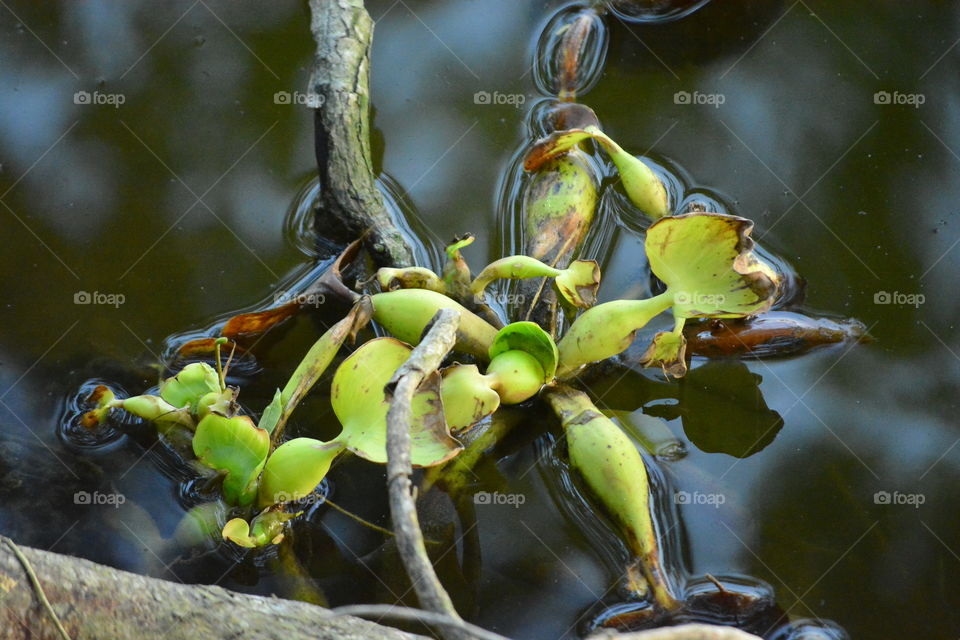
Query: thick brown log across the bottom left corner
(95, 602)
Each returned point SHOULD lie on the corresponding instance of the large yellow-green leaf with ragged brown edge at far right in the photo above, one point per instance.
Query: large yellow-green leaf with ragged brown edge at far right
(708, 265)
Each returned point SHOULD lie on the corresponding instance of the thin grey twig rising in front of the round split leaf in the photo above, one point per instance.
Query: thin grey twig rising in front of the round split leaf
(423, 360)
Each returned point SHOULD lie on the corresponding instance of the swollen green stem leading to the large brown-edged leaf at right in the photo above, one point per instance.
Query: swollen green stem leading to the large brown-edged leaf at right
(607, 330)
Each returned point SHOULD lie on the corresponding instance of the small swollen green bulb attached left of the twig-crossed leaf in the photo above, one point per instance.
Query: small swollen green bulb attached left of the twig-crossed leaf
(294, 470)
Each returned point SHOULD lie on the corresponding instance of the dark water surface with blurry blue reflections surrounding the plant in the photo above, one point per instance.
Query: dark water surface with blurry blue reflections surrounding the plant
(177, 200)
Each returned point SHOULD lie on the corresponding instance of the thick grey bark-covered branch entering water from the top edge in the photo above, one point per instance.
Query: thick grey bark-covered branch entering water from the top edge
(339, 93)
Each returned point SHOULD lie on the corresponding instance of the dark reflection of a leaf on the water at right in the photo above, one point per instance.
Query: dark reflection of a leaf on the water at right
(724, 411)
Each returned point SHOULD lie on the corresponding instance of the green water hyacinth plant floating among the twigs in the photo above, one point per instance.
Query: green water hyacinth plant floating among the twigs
(705, 260)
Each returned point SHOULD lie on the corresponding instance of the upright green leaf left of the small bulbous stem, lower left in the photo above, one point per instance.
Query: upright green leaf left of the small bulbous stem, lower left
(235, 447)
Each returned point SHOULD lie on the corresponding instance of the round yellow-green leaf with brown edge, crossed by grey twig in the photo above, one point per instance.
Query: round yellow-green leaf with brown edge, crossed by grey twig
(359, 400)
